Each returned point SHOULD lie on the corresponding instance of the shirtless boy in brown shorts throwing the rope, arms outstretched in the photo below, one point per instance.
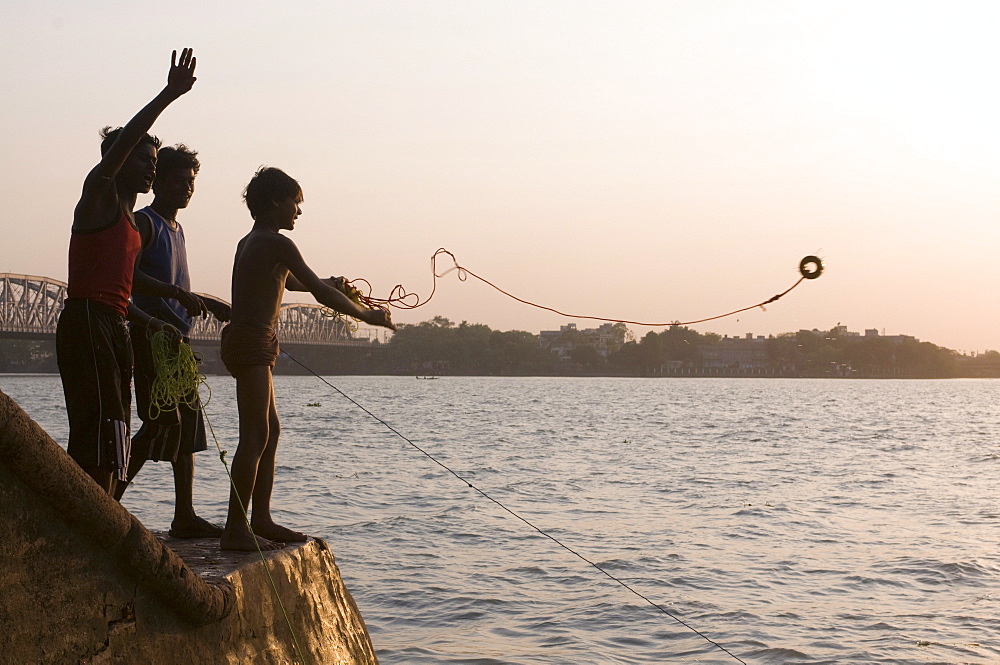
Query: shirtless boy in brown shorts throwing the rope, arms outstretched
(266, 264)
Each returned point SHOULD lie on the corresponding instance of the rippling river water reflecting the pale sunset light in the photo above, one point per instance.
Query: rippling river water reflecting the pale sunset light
(790, 521)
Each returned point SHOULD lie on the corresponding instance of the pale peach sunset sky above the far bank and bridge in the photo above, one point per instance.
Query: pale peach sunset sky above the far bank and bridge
(650, 160)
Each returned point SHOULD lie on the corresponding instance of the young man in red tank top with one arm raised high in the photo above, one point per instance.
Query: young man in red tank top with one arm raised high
(92, 342)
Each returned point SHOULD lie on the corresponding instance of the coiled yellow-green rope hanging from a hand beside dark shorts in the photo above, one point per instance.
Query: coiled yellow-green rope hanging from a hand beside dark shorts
(177, 376)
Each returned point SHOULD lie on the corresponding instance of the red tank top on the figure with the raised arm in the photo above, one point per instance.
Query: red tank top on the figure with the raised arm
(101, 264)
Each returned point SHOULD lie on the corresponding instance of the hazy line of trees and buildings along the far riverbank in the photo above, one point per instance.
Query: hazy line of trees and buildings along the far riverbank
(440, 347)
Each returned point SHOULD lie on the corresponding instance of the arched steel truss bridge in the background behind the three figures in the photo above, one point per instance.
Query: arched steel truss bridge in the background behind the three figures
(30, 307)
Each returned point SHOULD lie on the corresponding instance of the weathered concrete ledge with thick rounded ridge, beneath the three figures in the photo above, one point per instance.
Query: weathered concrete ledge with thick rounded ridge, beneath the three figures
(82, 581)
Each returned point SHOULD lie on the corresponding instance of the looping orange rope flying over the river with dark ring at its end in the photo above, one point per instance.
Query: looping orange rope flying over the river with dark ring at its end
(810, 268)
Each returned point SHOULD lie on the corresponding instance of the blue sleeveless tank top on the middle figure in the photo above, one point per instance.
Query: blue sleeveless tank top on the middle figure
(165, 259)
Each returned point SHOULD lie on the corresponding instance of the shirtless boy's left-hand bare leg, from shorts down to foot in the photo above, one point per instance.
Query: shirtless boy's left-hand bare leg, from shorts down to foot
(254, 393)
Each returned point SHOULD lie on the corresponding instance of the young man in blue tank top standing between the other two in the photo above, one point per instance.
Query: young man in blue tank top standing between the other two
(163, 288)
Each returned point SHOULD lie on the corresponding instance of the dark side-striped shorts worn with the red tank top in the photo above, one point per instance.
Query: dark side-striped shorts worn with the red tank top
(94, 354)
